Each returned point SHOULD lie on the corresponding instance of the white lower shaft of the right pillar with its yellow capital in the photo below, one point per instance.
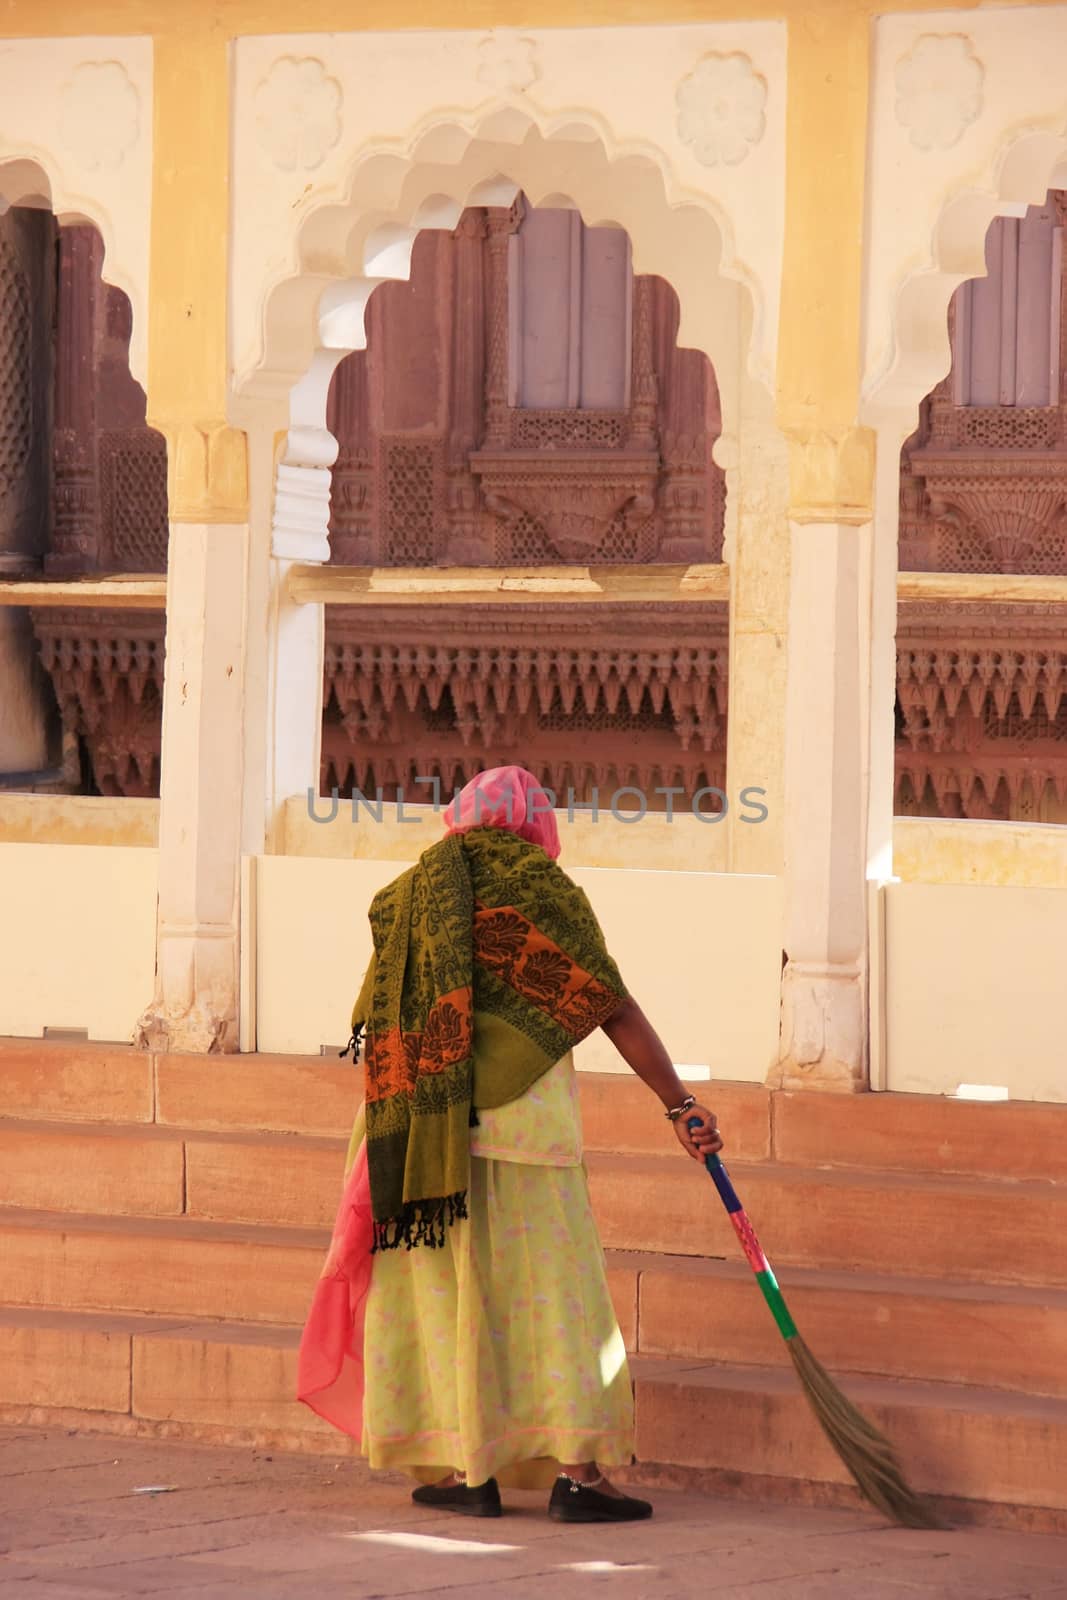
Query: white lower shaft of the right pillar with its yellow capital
(828, 732)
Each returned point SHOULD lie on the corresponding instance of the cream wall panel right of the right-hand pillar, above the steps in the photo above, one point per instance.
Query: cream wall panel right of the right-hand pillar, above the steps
(975, 990)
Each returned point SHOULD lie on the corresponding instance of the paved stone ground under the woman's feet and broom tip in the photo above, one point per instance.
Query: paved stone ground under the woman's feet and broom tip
(233, 1524)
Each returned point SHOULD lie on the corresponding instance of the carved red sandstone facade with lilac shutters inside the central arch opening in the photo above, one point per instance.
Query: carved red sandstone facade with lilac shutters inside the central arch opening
(605, 460)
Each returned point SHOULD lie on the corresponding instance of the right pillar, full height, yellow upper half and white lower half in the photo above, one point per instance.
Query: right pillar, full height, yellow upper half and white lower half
(833, 465)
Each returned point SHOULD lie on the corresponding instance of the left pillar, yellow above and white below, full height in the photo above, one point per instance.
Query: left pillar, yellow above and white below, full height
(196, 1004)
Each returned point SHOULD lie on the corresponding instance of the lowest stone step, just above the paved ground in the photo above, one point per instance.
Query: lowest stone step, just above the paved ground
(741, 1426)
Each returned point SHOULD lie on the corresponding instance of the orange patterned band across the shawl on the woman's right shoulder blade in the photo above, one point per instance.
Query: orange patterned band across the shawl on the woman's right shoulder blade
(535, 967)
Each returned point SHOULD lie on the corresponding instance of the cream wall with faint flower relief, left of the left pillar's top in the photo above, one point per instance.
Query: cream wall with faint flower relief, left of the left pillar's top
(81, 110)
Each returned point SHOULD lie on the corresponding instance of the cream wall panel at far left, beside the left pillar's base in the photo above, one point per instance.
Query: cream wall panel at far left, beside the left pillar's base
(78, 938)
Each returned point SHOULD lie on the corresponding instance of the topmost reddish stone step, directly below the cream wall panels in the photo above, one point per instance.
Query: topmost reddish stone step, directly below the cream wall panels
(318, 1097)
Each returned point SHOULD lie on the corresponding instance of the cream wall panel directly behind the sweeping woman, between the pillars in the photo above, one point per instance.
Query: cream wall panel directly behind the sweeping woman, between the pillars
(700, 951)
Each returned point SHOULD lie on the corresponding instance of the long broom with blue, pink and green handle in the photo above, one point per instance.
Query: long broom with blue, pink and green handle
(868, 1454)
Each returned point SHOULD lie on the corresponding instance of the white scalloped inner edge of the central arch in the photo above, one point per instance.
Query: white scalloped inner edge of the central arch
(346, 246)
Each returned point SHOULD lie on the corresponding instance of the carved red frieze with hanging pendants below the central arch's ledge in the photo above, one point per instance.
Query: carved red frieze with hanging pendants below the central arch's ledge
(585, 698)
